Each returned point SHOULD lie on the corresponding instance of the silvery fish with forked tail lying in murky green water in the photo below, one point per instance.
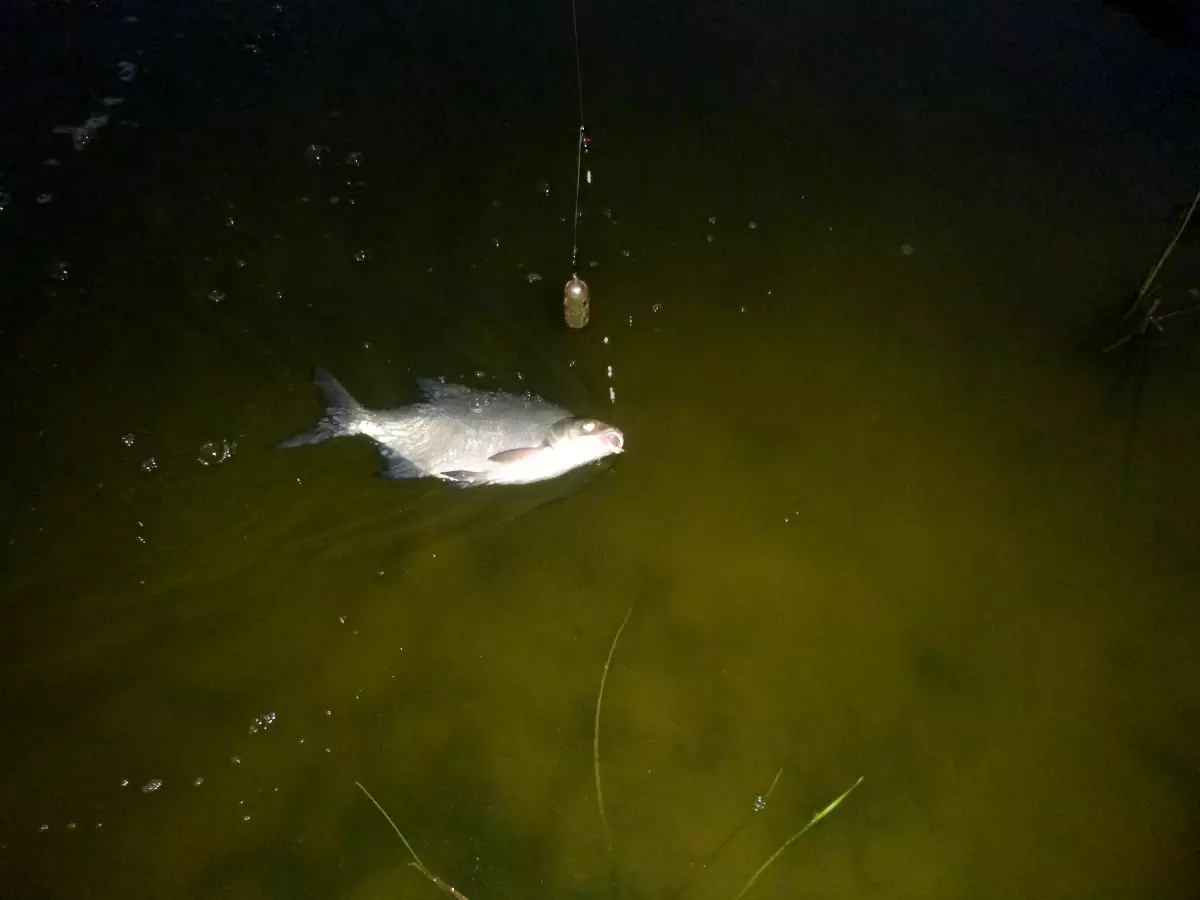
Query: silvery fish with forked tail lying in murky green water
(465, 436)
